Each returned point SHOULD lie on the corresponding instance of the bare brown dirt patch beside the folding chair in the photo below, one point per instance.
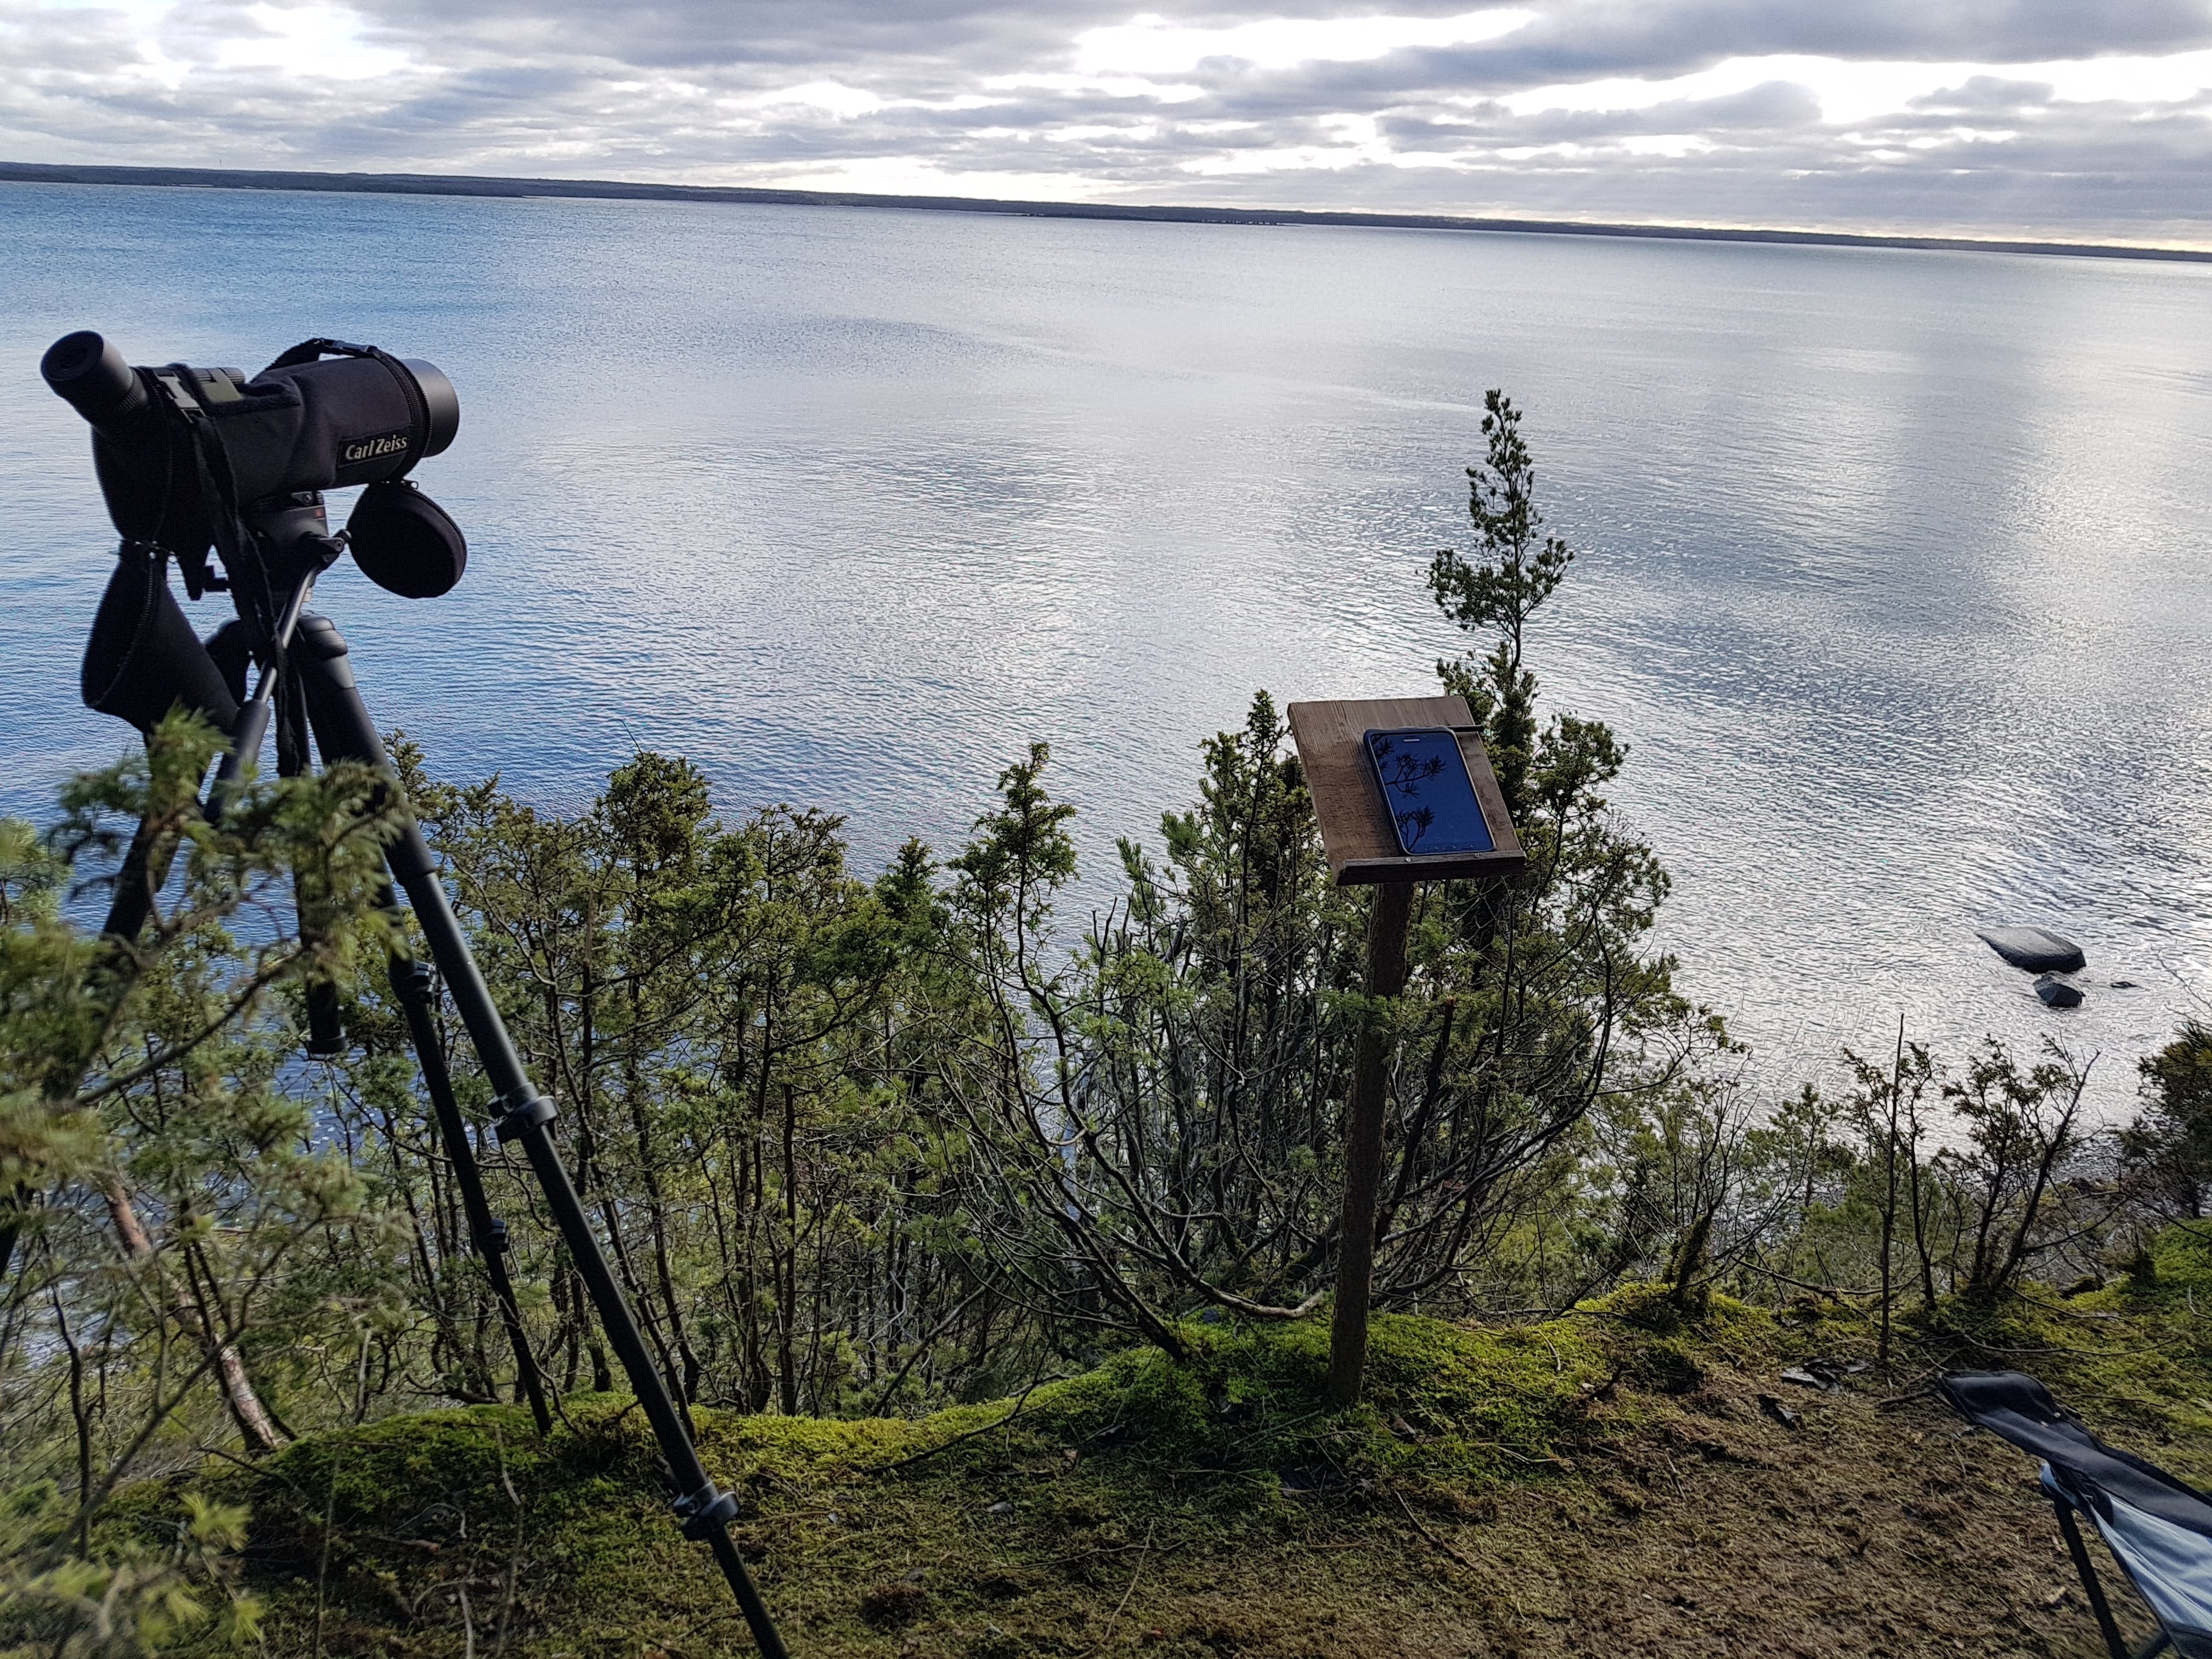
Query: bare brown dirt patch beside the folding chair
(1864, 1532)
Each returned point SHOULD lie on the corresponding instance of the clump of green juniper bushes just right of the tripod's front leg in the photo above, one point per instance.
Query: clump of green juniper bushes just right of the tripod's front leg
(731, 1023)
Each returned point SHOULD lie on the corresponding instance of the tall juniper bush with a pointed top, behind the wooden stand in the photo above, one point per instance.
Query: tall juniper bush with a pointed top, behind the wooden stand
(1165, 1114)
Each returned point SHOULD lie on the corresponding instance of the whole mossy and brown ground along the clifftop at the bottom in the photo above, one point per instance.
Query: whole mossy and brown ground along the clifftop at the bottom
(1625, 1481)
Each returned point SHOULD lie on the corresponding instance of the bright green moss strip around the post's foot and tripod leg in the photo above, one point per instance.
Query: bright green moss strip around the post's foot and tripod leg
(368, 1534)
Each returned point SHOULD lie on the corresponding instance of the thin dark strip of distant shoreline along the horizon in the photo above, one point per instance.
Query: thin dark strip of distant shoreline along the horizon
(439, 185)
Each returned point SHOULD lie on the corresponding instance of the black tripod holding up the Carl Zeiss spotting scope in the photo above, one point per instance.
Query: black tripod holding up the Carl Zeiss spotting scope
(313, 656)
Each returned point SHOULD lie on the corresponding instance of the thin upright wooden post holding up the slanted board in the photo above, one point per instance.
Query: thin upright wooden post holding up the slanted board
(1364, 1142)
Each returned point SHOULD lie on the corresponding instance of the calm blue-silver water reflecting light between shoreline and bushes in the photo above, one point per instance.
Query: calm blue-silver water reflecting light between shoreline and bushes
(1890, 565)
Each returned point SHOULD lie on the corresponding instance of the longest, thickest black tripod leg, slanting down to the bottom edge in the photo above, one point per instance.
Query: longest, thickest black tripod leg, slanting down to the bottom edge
(344, 731)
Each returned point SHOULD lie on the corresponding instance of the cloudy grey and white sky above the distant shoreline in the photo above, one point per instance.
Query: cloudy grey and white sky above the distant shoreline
(2078, 121)
